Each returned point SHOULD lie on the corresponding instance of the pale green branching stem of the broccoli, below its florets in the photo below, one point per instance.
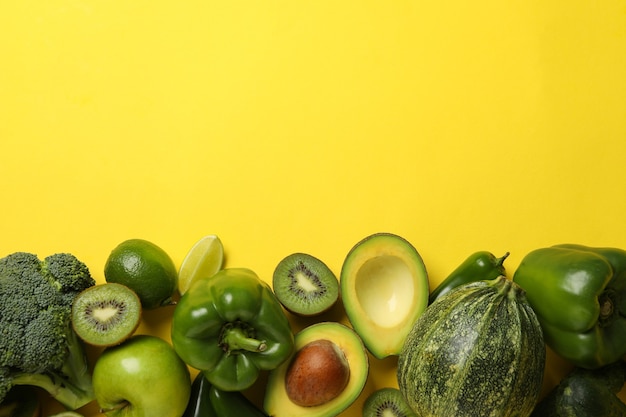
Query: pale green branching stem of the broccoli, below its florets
(72, 385)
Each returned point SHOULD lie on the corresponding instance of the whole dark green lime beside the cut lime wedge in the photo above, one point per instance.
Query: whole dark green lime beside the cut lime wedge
(146, 269)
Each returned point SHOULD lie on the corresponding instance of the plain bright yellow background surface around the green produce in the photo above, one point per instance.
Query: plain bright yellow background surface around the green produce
(288, 126)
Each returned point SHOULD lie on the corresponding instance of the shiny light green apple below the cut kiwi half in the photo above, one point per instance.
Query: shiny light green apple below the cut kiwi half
(142, 377)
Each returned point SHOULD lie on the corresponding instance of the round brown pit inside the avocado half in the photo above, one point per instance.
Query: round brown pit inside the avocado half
(318, 373)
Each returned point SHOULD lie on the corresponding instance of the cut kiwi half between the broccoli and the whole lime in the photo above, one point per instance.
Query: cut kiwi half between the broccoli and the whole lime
(106, 314)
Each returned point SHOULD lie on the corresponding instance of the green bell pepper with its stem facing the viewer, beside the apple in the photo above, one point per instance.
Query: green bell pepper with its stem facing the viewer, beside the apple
(231, 326)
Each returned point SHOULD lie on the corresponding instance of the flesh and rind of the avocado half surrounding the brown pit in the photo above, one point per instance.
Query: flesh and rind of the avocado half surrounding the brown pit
(277, 403)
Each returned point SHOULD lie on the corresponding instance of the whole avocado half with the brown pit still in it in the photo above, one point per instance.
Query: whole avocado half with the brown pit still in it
(329, 394)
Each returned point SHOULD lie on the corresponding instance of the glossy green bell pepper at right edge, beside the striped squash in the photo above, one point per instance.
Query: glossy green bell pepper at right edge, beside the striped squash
(579, 295)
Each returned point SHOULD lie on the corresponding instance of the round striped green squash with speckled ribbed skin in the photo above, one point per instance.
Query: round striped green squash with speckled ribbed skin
(477, 351)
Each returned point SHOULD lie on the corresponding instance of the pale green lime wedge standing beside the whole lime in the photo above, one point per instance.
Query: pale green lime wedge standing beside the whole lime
(204, 259)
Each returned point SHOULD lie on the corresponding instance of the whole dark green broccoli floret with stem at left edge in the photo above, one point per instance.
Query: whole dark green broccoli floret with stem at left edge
(37, 343)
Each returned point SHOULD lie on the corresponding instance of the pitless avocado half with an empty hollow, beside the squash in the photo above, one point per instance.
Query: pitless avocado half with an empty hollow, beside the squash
(384, 288)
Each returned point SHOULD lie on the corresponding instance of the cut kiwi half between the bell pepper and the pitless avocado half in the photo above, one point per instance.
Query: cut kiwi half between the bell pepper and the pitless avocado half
(305, 285)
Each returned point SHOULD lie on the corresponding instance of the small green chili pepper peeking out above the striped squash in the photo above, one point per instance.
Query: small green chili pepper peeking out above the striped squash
(479, 266)
